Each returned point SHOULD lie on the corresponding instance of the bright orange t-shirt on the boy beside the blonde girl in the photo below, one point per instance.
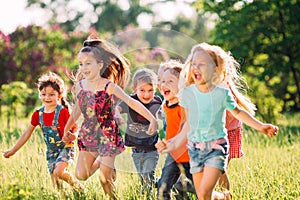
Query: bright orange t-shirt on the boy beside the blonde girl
(173, 120)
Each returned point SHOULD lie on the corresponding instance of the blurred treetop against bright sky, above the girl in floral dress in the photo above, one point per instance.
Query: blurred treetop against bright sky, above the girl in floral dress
(106, 15)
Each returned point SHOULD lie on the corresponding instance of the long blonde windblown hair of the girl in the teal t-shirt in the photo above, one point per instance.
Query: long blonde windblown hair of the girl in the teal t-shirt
(227, 74)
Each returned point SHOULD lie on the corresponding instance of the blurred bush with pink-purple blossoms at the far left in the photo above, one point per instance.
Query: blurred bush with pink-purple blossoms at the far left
(28, 52)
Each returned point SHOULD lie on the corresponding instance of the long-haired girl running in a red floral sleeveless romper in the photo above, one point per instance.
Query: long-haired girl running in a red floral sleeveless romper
(102, 73)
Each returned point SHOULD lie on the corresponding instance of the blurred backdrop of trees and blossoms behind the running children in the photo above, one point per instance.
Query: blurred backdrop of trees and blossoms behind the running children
(263, 35)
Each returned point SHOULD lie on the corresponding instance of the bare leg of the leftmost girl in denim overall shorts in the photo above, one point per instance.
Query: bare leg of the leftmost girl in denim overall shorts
(61, 171)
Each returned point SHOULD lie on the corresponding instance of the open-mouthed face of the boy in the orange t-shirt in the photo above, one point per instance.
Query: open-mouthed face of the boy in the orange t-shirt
(169, 86)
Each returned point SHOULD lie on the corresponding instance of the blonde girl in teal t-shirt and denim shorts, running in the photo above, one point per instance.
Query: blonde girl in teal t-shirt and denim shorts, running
(205, 104)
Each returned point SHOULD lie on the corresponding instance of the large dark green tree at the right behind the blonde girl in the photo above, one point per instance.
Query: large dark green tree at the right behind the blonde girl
(265, 35)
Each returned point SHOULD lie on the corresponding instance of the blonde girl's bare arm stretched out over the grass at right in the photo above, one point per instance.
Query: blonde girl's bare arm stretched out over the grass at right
(248, 119)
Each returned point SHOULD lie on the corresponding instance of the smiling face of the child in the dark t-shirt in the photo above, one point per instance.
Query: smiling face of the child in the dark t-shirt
(144, 91)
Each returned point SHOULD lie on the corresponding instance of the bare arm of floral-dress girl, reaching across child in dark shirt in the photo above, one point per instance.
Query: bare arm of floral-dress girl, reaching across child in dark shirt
(134, 104)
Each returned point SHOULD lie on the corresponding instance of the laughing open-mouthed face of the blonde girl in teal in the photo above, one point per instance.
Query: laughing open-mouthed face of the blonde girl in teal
(202, 68)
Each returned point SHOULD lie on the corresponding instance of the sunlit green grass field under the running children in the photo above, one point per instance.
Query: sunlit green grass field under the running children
(269, 170)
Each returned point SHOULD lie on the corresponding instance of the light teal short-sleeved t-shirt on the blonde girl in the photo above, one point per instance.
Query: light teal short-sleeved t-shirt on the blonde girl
(206, 112)
